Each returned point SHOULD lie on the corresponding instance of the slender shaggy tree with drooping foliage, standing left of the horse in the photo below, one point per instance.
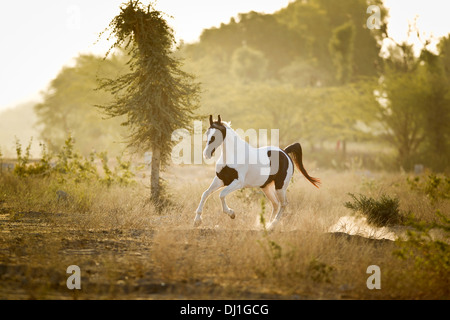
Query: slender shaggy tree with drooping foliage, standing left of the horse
(156, 97)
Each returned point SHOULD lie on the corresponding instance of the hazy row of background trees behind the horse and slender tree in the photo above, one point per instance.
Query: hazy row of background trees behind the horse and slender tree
(313, 70)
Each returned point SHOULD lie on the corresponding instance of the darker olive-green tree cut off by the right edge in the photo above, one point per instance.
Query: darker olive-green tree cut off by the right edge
(415, 106)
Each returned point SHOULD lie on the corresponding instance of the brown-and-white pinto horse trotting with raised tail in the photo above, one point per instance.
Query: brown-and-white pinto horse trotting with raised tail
(243, 166)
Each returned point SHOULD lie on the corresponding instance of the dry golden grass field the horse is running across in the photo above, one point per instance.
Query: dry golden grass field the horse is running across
(126, 250)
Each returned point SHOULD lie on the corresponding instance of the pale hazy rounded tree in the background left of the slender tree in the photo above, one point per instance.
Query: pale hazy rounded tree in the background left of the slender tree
(68, 103)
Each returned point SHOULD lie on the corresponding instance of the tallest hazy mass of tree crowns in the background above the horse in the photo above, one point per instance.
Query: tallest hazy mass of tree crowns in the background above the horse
(308, 43)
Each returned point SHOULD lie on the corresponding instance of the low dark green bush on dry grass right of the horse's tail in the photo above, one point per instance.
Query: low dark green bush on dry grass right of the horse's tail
(381, 212)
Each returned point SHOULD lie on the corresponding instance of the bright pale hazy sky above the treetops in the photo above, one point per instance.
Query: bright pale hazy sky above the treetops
(39, 37)
